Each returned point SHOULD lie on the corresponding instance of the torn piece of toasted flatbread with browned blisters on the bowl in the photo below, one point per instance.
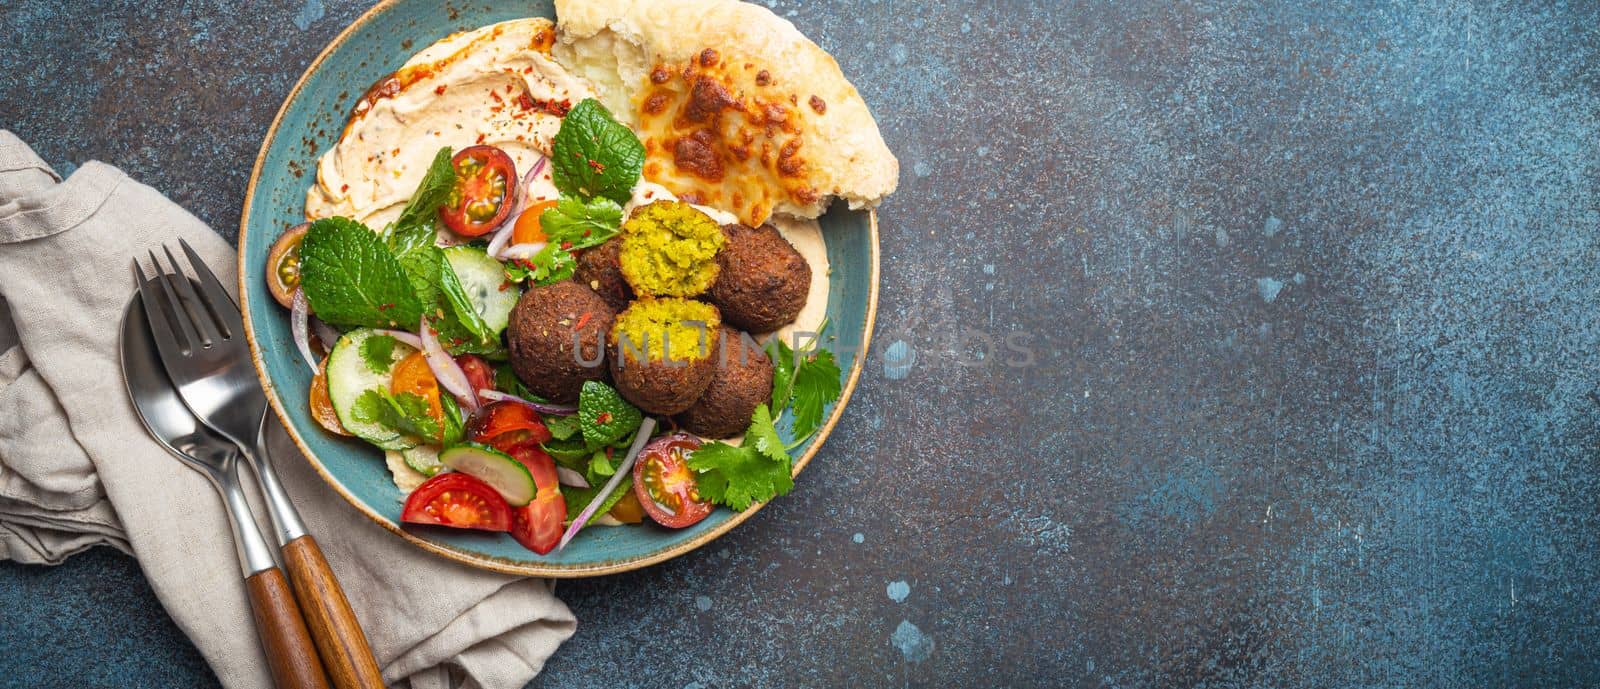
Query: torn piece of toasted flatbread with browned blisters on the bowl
(735, 106)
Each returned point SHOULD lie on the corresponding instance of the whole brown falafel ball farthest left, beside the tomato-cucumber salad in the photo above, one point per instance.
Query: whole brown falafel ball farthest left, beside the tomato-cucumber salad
(558, 340)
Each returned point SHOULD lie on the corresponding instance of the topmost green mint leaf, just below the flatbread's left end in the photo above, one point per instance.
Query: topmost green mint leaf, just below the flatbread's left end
(596, 156)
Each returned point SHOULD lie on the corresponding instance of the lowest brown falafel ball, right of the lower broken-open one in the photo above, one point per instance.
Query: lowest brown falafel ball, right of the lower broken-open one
(743, 381)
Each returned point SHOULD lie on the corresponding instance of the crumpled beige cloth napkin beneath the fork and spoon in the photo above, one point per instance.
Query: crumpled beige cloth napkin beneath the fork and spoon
(79, 471)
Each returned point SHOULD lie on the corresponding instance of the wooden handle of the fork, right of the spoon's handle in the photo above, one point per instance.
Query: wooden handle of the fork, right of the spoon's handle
(332, 623)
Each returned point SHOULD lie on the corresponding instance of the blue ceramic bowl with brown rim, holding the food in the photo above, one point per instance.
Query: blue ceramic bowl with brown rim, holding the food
(310, 124)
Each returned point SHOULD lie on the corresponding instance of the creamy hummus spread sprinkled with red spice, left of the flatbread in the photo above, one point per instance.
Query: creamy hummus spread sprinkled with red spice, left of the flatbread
(494, 86)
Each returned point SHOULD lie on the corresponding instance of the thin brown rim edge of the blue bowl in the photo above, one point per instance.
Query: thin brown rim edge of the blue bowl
(540, 570)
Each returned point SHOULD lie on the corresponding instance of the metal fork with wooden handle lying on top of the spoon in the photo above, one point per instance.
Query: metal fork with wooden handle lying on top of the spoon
(201, 338)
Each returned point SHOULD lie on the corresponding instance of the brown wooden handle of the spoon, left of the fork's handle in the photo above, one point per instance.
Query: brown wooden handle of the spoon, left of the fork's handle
(290, 653)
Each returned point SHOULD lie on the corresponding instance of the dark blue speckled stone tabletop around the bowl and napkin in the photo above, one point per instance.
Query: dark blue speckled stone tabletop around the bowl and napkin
(1308, 298)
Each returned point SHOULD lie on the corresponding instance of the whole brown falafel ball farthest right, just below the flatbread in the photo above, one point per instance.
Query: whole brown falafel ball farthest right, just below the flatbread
(762, 281)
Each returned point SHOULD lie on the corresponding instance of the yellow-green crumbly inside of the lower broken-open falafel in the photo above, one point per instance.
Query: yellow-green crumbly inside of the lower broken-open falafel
(666, 329)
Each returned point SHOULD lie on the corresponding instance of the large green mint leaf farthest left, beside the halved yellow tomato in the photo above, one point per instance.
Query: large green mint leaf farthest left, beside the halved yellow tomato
(353, 281)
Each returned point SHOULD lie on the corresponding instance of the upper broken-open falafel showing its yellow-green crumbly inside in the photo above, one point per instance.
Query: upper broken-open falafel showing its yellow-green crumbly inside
(670, 250)
